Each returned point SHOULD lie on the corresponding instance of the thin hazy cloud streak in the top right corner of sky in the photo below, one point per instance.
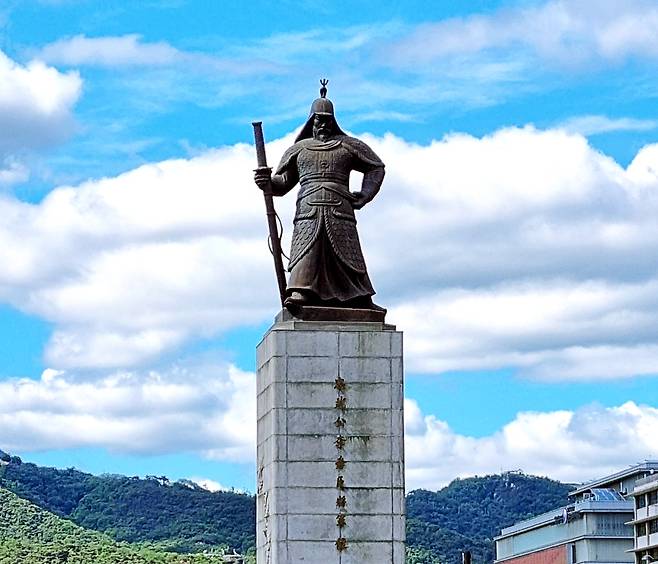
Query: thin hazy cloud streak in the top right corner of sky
(565, 31)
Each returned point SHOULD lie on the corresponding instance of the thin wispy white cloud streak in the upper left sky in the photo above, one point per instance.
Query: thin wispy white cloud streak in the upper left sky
(121, 50)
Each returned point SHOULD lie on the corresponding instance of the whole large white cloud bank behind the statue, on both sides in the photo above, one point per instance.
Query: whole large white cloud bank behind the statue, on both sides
(525, 249)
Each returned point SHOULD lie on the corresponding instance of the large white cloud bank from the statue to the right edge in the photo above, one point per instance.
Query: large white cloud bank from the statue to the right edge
(522, 249)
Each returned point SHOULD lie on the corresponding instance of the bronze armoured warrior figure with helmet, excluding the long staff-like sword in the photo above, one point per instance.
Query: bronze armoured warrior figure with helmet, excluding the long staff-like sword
(326, 263)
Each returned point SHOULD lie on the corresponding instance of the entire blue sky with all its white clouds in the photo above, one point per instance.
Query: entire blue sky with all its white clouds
(514, 240)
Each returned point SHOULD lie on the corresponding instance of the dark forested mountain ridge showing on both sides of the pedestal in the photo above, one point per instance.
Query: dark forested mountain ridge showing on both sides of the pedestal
(182, 517)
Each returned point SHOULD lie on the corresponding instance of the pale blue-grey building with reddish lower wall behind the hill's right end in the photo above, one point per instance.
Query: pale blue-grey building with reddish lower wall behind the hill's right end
(595, 526)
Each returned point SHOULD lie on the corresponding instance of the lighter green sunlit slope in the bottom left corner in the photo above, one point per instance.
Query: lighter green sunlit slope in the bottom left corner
(31, 535)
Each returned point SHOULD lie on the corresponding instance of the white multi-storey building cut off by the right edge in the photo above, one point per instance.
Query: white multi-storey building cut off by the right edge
(645, 520)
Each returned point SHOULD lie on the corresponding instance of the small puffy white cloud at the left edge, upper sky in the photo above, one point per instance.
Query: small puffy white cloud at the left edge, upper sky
(36, 104)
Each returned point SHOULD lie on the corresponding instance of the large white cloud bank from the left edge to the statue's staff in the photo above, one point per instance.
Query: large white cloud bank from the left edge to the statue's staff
(129, 267)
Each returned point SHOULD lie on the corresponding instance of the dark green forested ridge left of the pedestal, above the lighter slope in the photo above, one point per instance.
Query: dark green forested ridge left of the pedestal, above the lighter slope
(180, 515)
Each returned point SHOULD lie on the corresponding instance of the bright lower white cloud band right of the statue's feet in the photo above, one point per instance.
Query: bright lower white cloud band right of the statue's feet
(550, 330)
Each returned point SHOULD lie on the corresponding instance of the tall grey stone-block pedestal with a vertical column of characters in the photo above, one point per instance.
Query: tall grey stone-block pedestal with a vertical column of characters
(330, 444)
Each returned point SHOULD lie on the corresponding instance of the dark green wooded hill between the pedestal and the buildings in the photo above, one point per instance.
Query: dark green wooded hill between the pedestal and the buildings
(468, 513)
